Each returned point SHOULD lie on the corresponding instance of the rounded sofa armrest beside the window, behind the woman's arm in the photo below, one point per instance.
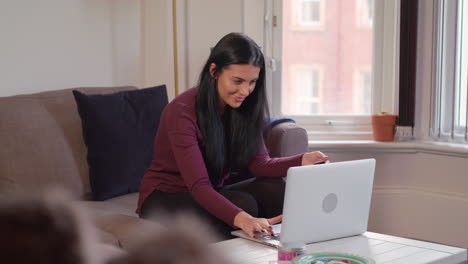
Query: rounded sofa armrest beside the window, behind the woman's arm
(286, 139)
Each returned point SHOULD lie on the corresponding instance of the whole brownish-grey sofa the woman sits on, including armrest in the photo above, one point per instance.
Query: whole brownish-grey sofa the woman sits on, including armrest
(42, 145)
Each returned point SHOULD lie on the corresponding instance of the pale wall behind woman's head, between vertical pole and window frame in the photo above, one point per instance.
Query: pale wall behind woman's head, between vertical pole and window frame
(202, 23)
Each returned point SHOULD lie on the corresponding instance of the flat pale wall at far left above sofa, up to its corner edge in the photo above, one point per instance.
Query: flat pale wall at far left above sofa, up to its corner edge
(54, 44)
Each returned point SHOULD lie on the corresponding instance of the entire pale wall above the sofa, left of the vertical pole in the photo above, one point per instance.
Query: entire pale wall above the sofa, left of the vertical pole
(57, 44)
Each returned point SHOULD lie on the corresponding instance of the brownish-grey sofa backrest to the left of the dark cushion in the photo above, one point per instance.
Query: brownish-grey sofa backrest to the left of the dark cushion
(41, 141)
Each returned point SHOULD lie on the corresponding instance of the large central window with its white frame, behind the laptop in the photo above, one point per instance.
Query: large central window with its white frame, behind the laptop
(357, 73)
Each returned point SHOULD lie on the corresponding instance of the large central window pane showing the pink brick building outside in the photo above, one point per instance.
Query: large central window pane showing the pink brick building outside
(336, 51)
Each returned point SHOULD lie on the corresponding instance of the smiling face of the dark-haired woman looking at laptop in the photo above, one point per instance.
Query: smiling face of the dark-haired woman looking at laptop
(235, 83)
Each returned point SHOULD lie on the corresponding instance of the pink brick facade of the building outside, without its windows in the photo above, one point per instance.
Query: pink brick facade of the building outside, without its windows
(340, 51)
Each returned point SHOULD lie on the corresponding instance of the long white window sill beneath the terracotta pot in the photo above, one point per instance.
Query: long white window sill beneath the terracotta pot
(432, 147)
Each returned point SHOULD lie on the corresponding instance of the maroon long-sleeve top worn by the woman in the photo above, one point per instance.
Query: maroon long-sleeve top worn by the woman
(178, 164)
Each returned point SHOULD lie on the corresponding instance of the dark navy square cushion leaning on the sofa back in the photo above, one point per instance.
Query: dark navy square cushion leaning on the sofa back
(119, 131)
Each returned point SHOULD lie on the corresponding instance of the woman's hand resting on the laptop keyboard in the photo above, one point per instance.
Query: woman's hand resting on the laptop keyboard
(251, 224)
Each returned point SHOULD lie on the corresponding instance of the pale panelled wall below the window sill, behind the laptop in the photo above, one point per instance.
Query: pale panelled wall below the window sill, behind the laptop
(418, 193)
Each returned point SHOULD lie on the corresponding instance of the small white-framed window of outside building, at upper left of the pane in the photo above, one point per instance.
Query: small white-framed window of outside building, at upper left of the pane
(307, 14)
